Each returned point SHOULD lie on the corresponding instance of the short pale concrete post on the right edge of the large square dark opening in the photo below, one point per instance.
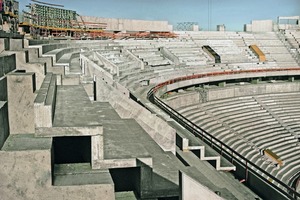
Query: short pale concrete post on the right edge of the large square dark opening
(97, 149)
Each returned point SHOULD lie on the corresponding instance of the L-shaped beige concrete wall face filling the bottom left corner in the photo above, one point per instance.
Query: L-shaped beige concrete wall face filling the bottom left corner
(27, 175)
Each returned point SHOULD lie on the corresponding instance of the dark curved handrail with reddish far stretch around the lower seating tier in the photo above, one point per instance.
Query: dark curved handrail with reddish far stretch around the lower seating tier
(196, 130)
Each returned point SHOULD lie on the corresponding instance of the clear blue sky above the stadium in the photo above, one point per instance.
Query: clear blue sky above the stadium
(233, 13)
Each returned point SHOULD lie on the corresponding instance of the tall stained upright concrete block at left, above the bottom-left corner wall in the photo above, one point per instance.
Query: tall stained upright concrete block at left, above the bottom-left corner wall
(20, 93)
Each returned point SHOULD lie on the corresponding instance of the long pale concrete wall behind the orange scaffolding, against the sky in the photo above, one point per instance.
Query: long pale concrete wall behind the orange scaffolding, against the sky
(114, 24)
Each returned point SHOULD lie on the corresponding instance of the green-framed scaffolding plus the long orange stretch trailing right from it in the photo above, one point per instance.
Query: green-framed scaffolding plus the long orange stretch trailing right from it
(46, 19)
